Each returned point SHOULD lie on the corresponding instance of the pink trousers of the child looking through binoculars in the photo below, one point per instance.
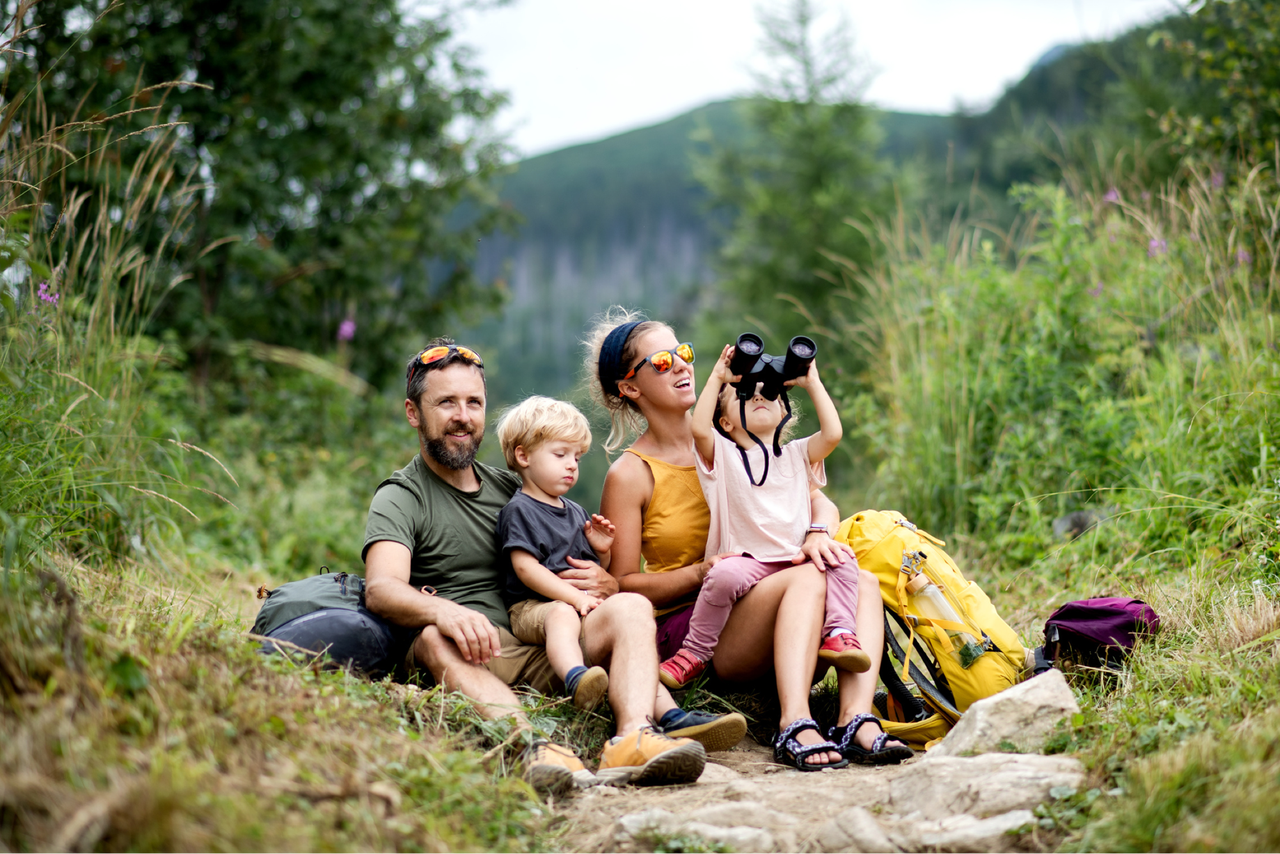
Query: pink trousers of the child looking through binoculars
(730, 581)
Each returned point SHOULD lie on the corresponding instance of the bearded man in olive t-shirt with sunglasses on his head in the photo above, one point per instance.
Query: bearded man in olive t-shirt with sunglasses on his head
(432, 563)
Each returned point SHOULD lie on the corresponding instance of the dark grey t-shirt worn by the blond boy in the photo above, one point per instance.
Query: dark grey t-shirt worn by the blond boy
(551, 535)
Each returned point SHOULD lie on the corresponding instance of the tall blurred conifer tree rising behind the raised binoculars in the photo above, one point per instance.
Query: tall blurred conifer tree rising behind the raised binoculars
(808, 167)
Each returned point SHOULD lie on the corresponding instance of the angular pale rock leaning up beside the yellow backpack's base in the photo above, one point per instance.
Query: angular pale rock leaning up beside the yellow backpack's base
(1023, 718)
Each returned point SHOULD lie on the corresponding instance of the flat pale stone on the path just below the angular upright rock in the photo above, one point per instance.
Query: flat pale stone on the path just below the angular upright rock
(988, 786)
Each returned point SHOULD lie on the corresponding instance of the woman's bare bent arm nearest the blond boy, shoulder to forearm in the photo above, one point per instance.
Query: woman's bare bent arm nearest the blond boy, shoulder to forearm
(628, 488)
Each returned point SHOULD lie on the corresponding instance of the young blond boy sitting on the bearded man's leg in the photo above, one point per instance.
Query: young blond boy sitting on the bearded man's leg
(541, 531)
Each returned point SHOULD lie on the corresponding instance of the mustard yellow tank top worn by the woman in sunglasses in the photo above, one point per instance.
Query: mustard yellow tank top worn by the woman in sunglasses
(676, 522)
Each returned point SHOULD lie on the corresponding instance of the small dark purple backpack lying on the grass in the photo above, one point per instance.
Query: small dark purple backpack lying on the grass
(1098, 633)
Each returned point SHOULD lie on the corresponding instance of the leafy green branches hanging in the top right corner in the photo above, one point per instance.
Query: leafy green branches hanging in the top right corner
(1233, 51)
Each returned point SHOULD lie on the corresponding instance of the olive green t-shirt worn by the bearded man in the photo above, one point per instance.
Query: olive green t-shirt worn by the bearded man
(450, 533)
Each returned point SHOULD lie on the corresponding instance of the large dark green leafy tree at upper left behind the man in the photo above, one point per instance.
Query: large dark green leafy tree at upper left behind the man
(326, 147)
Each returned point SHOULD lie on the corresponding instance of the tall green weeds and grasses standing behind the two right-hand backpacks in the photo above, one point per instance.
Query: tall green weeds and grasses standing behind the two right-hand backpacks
(1099, 369)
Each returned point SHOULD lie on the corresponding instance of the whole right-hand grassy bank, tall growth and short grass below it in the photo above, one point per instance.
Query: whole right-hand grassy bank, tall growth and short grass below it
(1121, 357)
